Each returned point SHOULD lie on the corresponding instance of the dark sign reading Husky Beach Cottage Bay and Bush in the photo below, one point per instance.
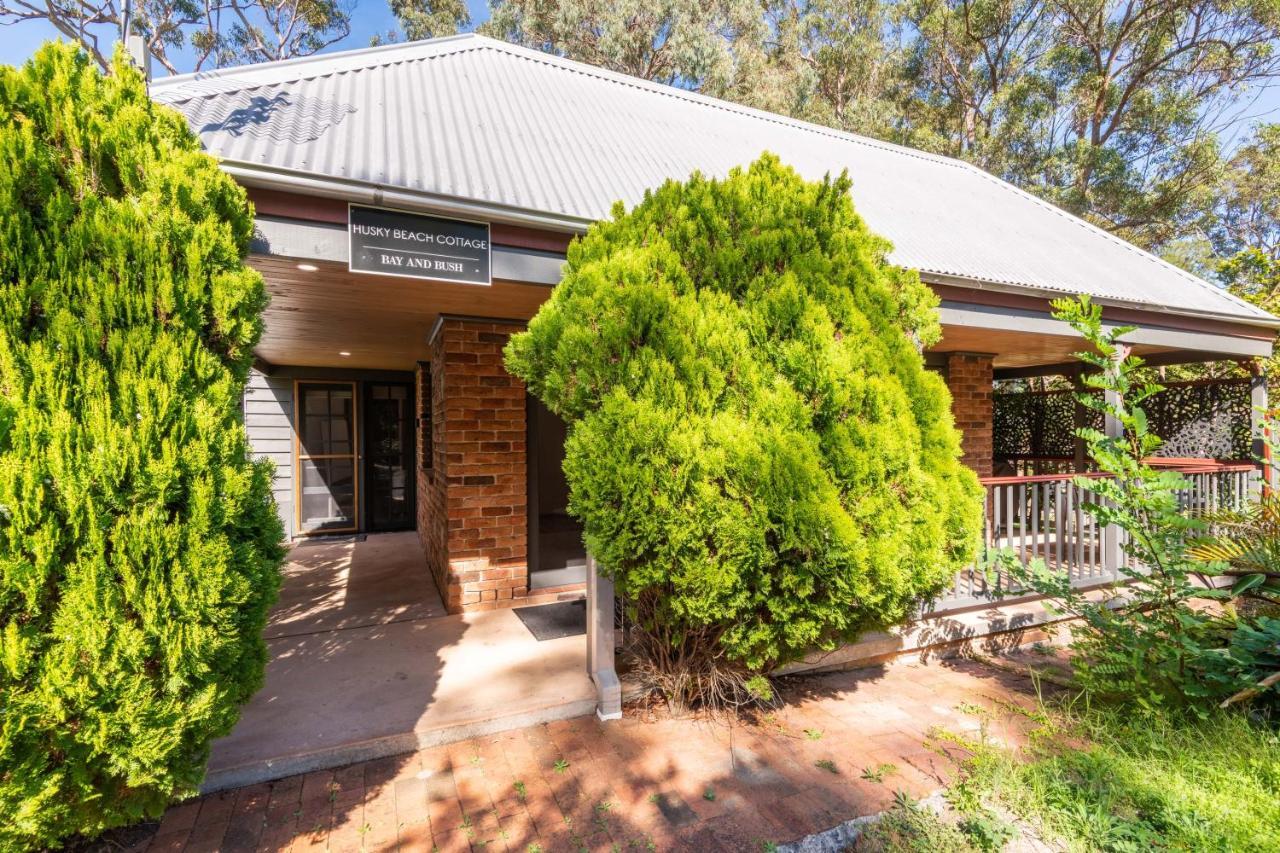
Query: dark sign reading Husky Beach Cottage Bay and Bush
(395, 243)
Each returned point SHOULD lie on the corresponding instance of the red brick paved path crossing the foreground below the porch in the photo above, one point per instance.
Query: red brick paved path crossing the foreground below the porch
(630, 786)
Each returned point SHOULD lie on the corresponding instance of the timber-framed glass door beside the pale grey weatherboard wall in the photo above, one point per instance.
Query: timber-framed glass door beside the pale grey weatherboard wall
(327, 489)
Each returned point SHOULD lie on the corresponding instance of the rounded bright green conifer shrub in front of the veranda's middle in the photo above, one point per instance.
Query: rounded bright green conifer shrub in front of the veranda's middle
(758, 455)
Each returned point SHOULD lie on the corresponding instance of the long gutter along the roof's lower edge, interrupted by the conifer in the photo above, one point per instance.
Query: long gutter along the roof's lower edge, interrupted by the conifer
(264, 177)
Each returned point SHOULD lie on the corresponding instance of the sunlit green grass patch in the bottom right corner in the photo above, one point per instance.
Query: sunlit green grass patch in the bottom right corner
(1113, 779)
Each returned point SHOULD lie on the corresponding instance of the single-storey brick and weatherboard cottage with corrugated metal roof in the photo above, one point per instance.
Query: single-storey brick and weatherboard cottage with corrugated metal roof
(414, 206)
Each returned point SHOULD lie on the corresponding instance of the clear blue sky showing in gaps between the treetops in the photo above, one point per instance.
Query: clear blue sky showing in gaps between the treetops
(374, 17)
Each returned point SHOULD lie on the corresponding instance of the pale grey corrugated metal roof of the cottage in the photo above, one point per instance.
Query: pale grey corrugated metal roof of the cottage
(479, 120)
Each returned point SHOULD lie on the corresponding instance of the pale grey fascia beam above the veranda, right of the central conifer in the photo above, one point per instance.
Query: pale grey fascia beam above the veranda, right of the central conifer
(1007, 320)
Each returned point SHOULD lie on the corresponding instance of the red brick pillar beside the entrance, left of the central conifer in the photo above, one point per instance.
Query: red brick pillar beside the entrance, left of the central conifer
(474, 519)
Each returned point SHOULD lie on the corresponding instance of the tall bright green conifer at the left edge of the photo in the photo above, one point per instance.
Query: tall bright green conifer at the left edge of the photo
(139, 544)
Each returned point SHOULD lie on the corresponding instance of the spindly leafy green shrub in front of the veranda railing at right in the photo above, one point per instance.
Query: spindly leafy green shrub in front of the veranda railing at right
(1148, 641)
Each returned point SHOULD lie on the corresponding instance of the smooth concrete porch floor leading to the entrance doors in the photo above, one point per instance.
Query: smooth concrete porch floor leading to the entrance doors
(365, 664)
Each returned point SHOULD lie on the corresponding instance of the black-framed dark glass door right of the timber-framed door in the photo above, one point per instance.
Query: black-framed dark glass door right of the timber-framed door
(390, 490)
